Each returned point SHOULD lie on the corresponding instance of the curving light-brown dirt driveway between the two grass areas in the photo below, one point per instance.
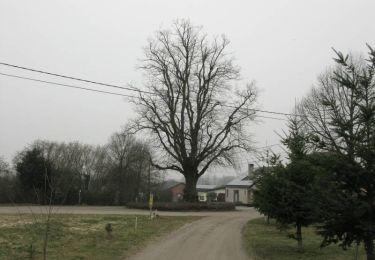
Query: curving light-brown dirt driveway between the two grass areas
(211, 238)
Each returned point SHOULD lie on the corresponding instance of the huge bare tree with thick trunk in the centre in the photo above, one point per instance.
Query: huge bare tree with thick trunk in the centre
(192, 103)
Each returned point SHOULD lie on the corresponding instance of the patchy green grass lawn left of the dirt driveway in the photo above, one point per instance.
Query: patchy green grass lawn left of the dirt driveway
(80, 236)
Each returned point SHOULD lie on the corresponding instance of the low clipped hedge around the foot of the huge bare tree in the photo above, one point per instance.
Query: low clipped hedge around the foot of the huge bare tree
(184, 206)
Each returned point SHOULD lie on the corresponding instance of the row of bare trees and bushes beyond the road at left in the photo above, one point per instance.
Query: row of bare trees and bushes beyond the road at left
(75, 173)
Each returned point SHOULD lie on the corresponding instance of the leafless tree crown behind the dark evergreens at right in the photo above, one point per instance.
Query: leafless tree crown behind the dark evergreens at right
(331, 114)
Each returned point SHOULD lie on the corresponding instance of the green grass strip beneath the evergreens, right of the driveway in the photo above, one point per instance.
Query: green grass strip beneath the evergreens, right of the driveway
(266, 241)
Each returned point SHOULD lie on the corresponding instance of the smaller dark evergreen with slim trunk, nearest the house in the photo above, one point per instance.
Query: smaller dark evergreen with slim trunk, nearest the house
(285, 192)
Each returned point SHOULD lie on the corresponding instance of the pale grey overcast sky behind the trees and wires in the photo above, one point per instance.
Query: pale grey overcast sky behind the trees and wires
(282, 45)
